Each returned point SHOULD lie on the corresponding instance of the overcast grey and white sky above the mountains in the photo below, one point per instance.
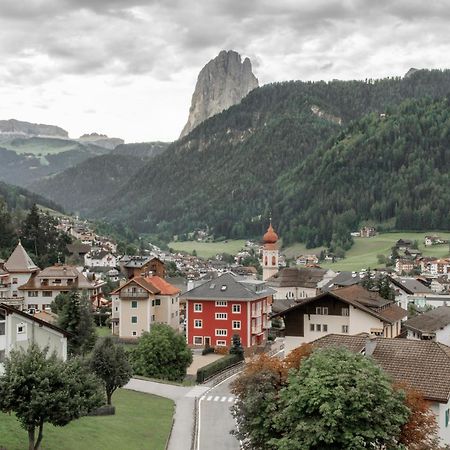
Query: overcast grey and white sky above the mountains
(128, 68)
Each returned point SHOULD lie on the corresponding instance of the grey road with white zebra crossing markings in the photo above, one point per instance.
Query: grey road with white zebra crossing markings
(215, 419)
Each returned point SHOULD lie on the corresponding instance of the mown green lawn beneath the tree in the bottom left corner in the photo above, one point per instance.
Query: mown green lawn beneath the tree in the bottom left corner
(141, 422)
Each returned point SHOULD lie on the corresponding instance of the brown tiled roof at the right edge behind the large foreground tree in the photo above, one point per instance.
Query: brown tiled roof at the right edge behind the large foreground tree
(423, 365)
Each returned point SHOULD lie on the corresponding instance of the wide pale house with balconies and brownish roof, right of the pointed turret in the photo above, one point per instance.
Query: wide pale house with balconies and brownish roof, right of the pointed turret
(43, 286)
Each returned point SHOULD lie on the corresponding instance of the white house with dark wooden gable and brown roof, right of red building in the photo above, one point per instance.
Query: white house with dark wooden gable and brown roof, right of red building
(347, 310)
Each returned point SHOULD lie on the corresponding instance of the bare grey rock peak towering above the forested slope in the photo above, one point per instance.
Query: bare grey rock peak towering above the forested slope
(222, 83)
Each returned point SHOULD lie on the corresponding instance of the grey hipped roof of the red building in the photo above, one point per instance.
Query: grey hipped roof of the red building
(228, 287)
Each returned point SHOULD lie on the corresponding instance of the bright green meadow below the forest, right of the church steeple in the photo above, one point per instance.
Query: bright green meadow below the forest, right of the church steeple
(364, 252)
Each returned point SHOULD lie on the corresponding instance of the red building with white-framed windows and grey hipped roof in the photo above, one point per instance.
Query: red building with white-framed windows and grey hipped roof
(228, 305)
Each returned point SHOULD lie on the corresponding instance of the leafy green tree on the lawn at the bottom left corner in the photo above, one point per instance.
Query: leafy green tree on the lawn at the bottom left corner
(41, 389)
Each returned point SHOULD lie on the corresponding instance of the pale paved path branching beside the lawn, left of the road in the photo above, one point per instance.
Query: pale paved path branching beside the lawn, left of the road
(184, 398)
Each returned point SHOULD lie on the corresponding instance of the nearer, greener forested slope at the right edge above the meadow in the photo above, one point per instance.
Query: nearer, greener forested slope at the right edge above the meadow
(395, 165)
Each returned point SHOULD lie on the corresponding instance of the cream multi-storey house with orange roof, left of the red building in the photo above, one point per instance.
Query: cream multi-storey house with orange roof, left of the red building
(142, 302)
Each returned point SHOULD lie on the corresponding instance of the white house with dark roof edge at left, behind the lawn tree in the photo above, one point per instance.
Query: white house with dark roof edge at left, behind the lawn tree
(19, 330)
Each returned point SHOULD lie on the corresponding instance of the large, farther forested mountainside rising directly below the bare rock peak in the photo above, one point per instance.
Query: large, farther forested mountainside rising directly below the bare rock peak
(224, 173)
